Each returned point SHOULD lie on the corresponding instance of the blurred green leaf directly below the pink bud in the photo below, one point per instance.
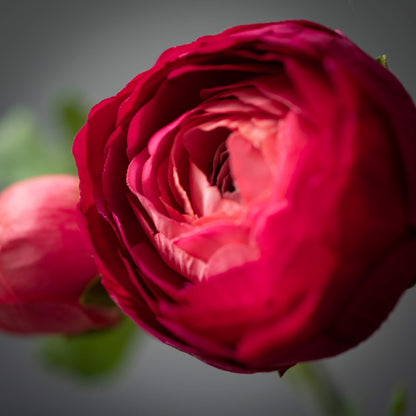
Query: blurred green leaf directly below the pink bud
(92, 355)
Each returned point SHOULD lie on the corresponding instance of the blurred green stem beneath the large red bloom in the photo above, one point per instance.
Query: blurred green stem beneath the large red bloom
(317, 382)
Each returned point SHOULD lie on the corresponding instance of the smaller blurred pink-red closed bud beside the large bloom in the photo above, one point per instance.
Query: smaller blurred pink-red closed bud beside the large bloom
(45, 263)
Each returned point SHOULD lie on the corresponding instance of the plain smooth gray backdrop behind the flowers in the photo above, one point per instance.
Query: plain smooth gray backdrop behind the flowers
(95, 47)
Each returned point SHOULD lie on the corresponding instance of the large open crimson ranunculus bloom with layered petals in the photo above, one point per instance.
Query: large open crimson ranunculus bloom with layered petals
(251, 198)
